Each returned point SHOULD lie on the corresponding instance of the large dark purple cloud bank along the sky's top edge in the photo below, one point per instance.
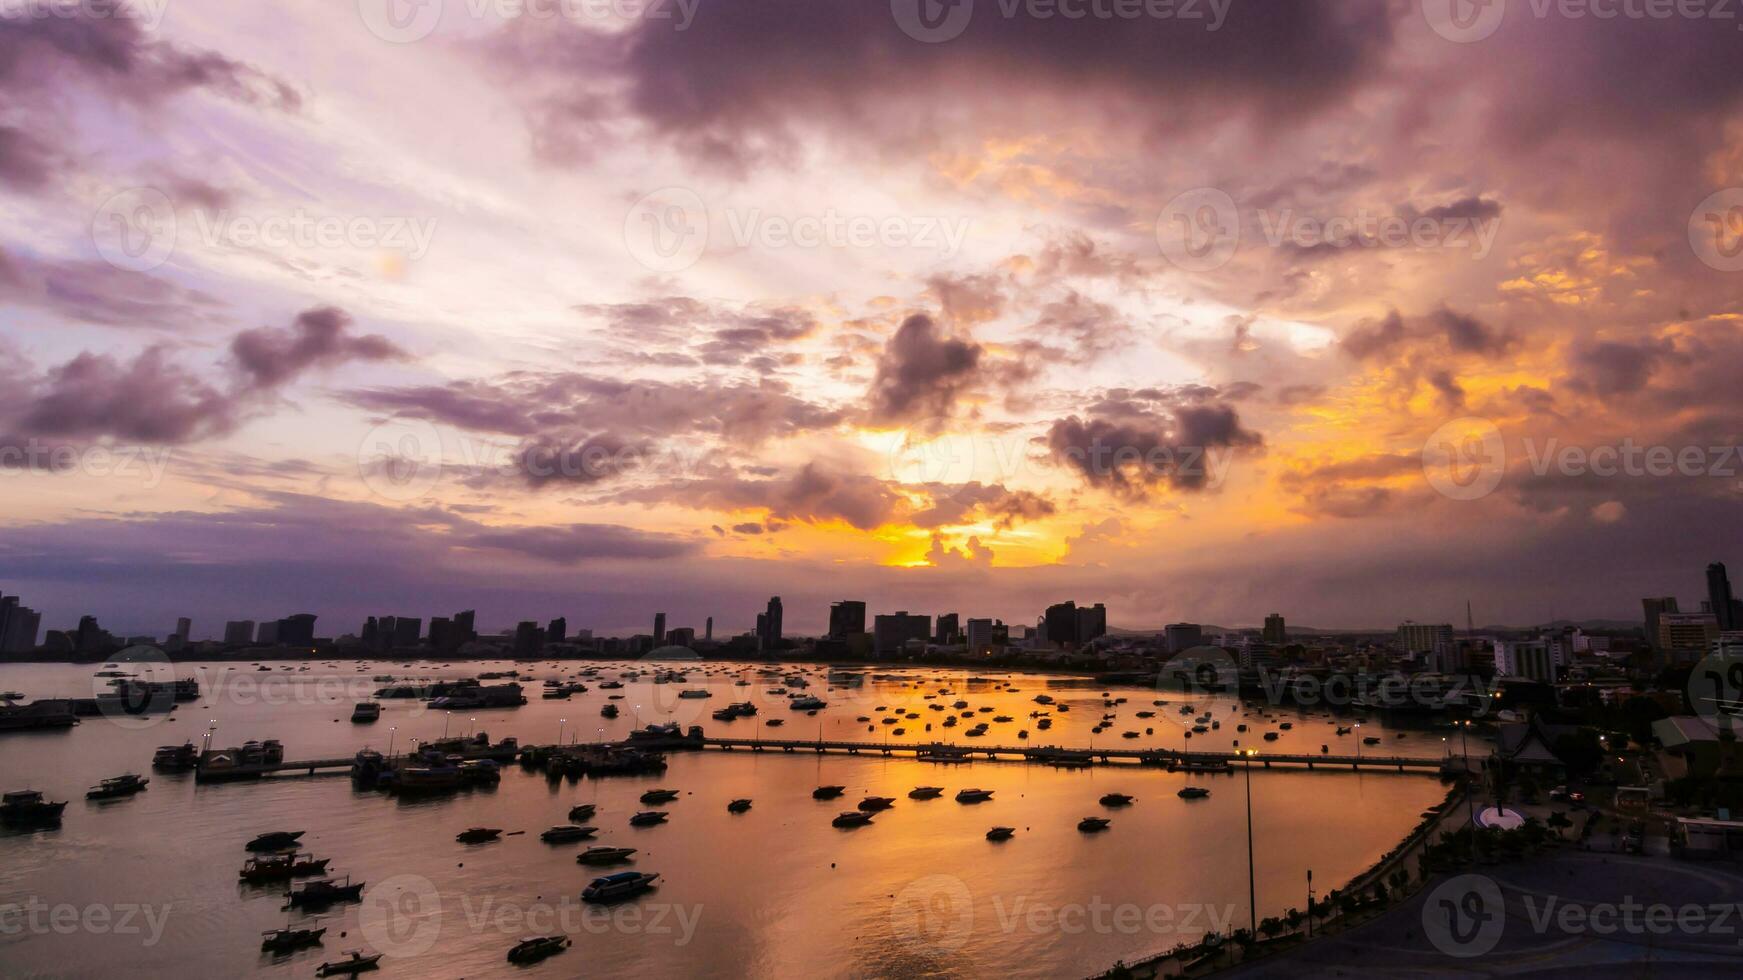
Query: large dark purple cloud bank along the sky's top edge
(724, 88)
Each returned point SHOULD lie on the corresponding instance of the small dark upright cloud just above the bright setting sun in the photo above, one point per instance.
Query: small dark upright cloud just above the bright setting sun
(921, 374)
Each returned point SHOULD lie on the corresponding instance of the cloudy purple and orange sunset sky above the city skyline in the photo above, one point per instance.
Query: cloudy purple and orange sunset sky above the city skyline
(1353, 311)
